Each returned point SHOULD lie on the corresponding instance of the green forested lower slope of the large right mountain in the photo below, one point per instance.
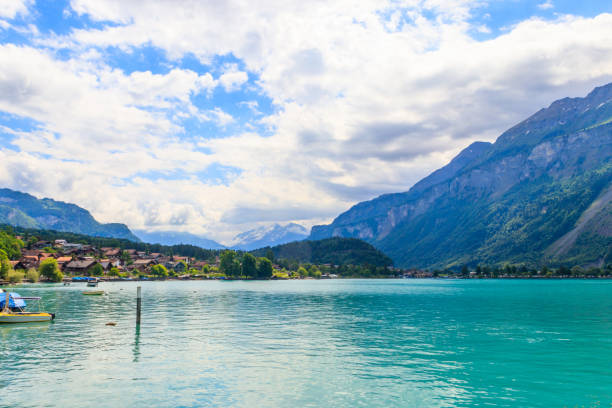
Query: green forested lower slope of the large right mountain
(518, 228)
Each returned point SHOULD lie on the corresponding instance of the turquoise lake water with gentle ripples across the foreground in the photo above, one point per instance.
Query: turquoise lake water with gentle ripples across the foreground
(329, 343)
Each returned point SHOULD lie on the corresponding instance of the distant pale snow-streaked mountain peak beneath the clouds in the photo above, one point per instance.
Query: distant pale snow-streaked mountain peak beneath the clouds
(269, 236)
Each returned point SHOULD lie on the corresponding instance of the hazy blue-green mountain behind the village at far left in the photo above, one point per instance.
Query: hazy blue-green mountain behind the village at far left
(25, 210)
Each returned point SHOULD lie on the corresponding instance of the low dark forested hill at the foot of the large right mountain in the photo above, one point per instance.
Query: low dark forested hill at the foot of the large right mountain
(336, 251)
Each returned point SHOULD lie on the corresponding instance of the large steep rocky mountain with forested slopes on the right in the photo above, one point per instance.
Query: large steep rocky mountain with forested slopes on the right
(542, 193)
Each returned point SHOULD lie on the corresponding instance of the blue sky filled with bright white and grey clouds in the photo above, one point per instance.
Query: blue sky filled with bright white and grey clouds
(215, 117)
